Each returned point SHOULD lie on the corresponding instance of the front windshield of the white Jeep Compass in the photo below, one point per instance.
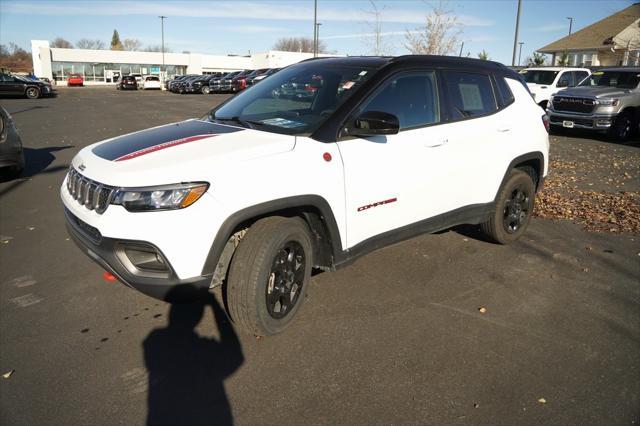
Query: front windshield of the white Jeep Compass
(296, 100)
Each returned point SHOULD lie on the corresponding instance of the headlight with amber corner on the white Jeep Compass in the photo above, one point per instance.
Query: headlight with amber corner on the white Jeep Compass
(166, 197)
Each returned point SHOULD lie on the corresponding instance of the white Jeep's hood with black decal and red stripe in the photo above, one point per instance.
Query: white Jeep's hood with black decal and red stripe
(180, 152)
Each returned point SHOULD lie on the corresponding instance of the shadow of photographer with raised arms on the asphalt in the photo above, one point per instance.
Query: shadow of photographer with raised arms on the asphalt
(187, 371)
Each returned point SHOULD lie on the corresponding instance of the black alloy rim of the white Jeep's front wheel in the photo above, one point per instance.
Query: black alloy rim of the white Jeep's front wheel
(285, 280)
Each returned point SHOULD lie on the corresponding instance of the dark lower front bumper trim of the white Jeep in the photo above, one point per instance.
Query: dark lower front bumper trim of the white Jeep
(109, 254)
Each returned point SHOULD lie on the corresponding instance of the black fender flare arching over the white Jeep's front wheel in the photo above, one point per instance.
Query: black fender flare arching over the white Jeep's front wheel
(281, 205)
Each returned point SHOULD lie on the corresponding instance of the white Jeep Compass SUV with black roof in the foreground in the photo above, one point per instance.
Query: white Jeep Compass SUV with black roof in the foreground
(388, 148)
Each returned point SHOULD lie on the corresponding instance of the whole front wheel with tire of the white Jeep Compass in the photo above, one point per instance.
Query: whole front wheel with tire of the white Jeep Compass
(269, 275)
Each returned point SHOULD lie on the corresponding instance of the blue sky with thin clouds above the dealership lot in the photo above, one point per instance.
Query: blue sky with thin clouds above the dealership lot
(240, 27)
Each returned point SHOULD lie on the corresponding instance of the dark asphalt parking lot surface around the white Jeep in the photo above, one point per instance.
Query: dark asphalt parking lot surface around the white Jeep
(397, 337)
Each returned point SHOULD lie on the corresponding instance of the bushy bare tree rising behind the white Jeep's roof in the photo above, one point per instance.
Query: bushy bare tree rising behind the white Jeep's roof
(438, 36)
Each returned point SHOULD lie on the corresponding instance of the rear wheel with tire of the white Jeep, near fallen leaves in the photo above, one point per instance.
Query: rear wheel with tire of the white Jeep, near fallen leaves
(513, 209)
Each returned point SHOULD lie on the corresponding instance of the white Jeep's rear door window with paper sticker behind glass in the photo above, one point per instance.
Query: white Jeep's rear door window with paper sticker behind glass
(471, 94)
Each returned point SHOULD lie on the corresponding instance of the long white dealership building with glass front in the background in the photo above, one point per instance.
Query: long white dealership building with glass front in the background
(103, 66)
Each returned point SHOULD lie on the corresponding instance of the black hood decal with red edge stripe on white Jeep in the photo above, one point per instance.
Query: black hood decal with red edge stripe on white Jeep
(151, 140)
